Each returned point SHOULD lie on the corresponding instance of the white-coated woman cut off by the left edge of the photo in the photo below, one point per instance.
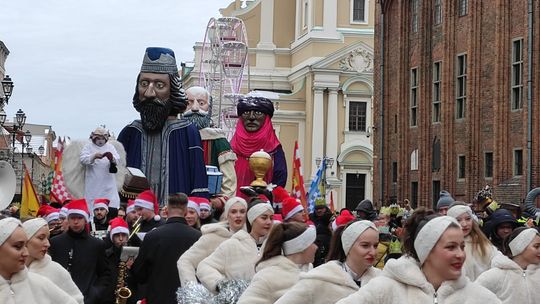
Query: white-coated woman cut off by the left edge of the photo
(17, 284)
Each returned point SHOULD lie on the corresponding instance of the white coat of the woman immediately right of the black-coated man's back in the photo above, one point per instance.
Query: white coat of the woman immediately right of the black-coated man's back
(212, 236)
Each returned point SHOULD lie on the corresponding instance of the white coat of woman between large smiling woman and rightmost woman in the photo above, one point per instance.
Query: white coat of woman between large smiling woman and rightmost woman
(474, 264)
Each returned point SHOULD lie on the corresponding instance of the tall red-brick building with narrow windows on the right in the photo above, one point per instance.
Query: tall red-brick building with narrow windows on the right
(452, 99)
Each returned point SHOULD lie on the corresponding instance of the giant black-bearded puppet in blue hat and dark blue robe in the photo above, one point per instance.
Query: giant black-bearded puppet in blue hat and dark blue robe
(168, 150)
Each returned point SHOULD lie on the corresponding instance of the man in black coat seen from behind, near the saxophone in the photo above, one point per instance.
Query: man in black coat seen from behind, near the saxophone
(161, 248)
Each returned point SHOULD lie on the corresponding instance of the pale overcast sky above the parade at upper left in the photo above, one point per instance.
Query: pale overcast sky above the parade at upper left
(74, 63)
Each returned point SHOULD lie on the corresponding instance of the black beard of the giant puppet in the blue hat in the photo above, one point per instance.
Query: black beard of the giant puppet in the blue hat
(154, 113)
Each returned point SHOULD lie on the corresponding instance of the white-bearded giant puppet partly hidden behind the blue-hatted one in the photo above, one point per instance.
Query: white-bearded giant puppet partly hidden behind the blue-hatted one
(217, 149)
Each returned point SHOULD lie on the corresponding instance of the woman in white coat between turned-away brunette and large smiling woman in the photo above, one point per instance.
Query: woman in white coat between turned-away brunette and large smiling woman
(353, 251)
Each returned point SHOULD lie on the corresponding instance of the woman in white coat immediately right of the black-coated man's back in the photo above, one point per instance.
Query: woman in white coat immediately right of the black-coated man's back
(212, 236)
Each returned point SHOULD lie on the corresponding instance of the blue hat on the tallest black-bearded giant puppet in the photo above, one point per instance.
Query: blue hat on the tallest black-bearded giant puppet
(159, 60)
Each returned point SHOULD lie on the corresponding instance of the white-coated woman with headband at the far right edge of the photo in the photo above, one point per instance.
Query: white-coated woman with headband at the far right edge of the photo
(516, 280)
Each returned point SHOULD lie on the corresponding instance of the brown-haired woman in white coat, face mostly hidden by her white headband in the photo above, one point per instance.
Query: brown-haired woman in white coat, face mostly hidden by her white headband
(288, 252)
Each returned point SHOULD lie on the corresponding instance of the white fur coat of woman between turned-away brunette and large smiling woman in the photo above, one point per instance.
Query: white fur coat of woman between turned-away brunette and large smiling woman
(325, 284)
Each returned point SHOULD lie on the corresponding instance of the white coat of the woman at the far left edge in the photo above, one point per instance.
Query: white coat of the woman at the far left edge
(27, 287)
